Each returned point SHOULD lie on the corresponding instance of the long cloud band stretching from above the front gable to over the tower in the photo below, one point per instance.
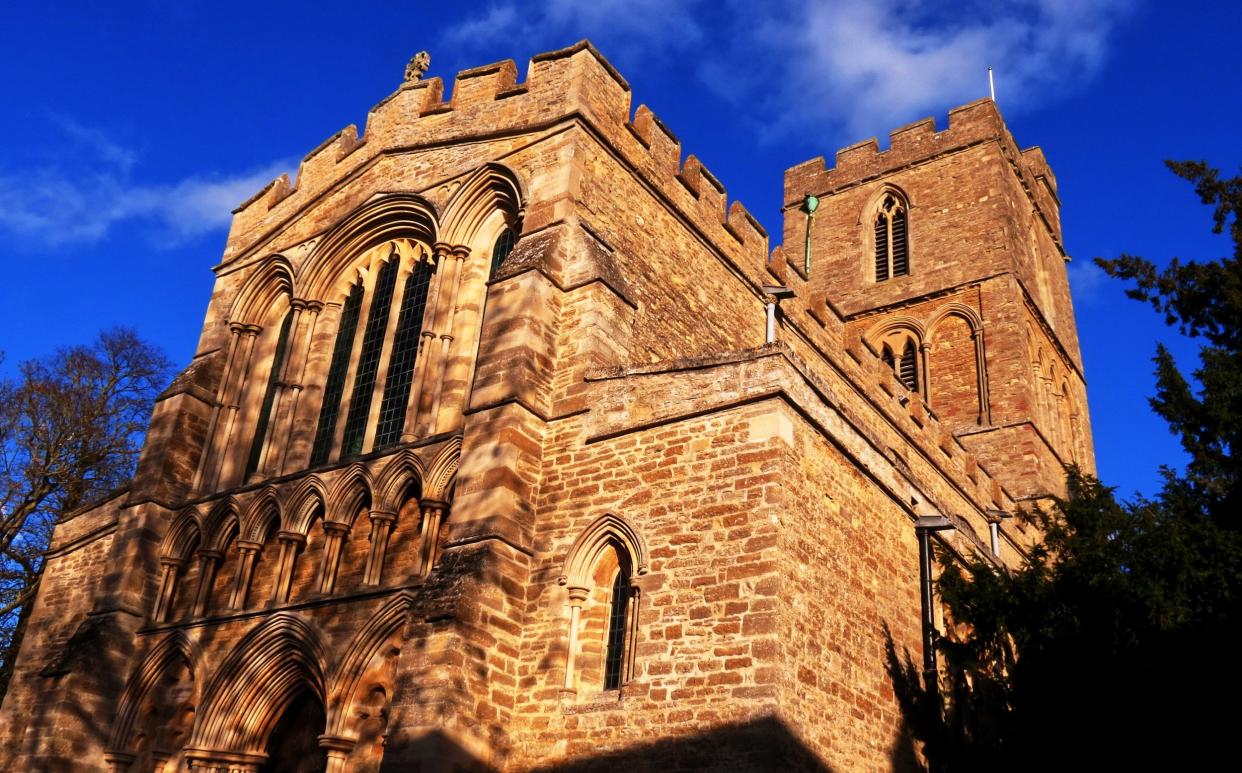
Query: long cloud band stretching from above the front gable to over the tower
(856, 66)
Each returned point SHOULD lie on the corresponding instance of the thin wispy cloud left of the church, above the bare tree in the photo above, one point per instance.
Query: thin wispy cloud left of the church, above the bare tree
(53, 207)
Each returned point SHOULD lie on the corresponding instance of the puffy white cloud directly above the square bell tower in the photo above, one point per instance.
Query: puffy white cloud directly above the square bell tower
(873, 65)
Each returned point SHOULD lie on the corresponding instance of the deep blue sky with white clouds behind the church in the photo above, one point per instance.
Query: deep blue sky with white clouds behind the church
(134, 129)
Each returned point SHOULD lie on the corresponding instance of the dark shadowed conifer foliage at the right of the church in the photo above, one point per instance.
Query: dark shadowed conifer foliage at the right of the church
(1113, 647)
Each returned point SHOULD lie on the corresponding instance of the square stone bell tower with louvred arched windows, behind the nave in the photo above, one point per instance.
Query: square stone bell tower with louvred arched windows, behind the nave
(945, 255)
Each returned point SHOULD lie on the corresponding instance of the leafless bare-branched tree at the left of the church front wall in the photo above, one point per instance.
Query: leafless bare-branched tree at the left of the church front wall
(71, 428)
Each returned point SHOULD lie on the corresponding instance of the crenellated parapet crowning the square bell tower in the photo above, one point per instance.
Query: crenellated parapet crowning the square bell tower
(971, 125)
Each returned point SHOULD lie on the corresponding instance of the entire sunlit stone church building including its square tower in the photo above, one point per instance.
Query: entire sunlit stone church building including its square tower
(511, 444)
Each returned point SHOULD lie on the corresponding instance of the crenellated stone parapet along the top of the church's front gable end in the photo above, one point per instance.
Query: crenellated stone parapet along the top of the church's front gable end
(489, 101)
